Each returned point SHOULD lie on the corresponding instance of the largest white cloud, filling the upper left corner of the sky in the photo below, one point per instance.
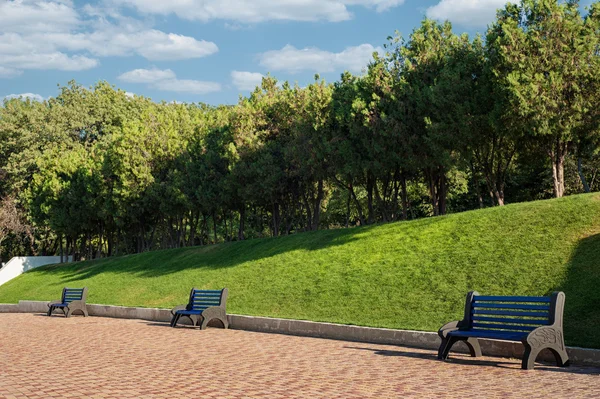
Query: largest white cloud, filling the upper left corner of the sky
(51, 34)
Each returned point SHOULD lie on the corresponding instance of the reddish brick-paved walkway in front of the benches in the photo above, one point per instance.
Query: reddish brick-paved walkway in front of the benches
(42, 357)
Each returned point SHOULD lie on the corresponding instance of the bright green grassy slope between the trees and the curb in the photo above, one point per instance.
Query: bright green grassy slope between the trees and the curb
(411, 275)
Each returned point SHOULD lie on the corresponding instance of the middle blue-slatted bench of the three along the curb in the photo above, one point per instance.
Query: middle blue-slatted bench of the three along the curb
(202, 307)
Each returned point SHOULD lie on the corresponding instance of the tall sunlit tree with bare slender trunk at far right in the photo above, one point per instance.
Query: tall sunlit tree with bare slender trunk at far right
(546, 54)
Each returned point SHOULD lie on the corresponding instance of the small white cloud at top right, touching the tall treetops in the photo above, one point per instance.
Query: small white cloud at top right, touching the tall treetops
(471, 13)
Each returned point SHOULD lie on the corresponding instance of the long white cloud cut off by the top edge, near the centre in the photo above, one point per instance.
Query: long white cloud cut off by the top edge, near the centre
(252, 11)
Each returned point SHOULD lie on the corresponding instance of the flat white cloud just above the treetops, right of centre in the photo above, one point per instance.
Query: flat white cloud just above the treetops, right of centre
(293, 60)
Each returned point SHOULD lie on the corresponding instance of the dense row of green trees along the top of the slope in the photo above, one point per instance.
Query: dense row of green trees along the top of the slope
(439, 123)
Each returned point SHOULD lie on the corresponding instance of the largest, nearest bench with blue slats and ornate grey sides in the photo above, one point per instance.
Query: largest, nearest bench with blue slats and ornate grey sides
(537, 322)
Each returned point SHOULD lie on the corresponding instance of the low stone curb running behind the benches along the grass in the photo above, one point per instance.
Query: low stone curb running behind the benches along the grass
(382, 336)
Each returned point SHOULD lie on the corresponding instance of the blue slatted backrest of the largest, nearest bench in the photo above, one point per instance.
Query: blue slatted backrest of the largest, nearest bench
(513, 313)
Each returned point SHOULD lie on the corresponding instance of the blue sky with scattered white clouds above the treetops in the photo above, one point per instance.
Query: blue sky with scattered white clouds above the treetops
(204, 50)
